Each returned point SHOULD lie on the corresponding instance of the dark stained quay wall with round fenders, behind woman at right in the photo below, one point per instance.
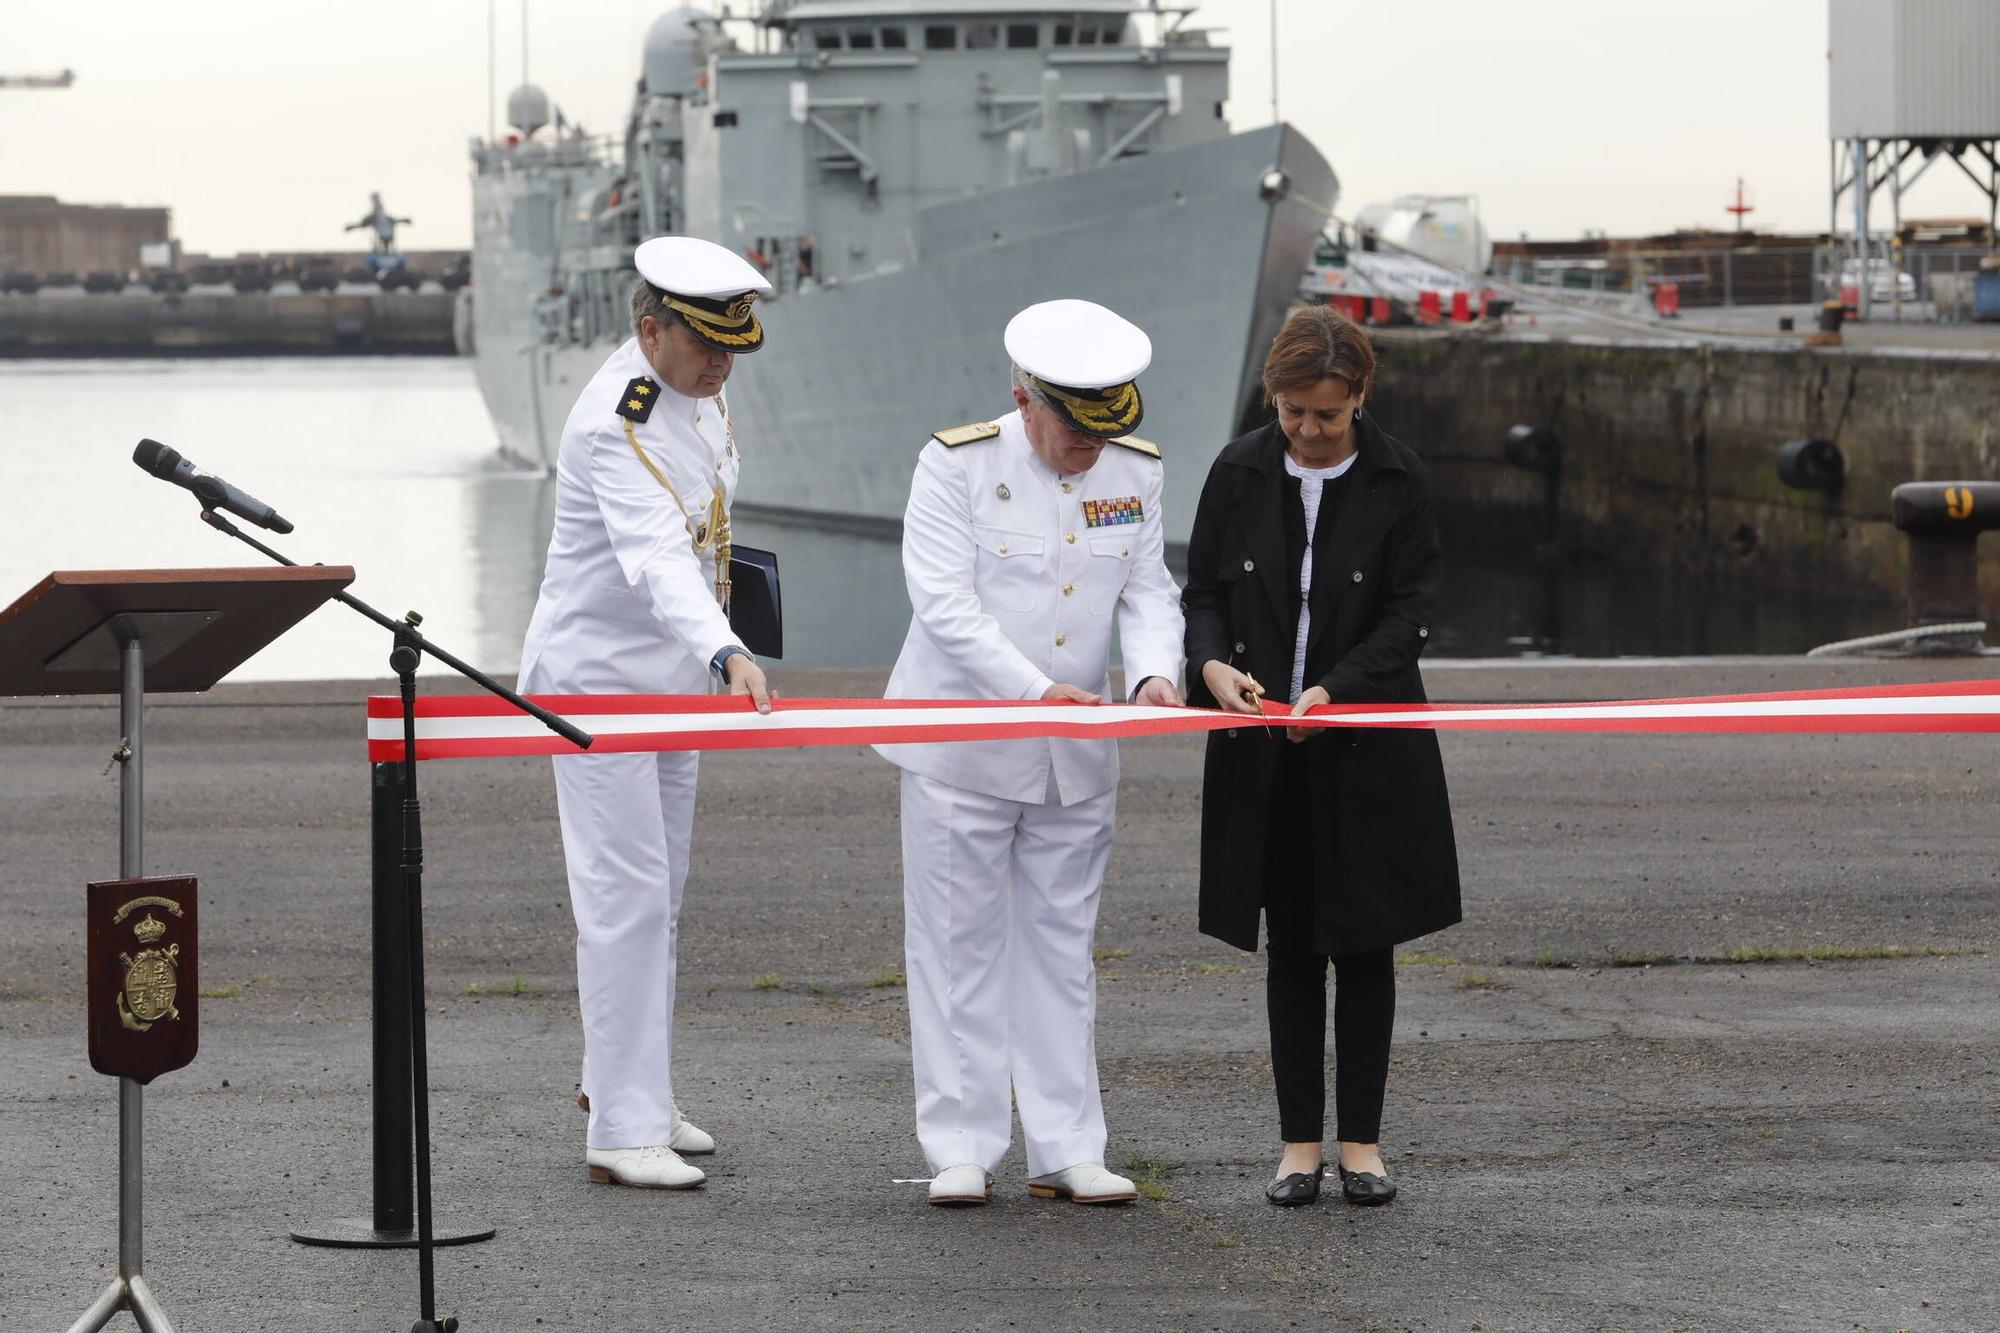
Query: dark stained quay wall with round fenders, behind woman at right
(1669, 453)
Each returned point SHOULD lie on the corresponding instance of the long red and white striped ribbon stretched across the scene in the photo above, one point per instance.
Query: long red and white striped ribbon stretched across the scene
(487, 728)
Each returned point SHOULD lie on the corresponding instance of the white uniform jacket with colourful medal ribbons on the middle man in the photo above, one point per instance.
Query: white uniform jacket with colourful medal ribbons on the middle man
(1017, 577)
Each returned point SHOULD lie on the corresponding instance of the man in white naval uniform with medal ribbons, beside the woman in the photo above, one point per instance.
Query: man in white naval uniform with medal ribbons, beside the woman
(1025, 541)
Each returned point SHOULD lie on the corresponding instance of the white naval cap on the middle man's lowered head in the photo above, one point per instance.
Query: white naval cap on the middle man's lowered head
(1083, 359)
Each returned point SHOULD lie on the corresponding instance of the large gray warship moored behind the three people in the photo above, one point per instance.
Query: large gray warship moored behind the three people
(909, 175)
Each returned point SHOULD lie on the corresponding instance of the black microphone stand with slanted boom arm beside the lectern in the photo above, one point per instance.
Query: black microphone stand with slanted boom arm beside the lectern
(403, 659)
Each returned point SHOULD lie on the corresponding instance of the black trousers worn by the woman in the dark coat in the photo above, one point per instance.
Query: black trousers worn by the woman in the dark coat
(1295, 986)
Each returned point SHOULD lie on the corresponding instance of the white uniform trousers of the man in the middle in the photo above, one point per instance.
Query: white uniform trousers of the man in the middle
(1001, 904)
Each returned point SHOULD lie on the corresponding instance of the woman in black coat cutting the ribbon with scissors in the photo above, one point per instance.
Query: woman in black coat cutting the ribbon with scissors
(1313, 569)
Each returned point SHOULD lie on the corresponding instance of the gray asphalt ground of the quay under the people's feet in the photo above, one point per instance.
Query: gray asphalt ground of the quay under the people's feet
(1717, 1046)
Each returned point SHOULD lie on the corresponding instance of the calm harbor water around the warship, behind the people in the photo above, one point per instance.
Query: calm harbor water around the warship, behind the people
(391, 465)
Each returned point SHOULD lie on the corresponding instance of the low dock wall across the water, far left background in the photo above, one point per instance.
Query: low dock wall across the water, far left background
(227, 325)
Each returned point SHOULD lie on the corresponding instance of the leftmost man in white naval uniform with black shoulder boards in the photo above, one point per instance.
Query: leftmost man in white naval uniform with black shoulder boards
(635, 601)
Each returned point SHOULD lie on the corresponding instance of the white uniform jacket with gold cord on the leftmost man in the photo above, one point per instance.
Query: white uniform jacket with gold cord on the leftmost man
(629, 605)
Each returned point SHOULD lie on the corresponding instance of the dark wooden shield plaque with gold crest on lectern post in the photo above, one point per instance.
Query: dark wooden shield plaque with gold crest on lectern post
(145, 976)
